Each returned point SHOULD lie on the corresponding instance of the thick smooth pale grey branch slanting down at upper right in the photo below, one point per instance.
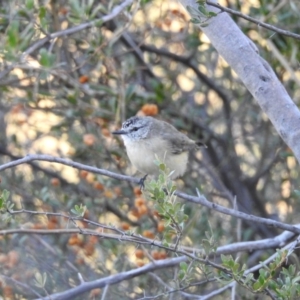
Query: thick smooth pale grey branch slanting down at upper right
(259, 78)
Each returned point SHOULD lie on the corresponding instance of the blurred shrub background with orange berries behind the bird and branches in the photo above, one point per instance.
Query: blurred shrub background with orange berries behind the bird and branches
(64, 99)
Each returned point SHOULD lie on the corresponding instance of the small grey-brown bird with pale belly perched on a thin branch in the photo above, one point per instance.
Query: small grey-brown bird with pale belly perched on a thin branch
(148, 139)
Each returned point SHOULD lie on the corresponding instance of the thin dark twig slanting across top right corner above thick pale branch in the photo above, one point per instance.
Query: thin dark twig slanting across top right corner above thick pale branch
(262, 24)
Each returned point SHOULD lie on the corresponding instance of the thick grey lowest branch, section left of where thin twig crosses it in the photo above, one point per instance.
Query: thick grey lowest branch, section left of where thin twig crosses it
(113, 279)
